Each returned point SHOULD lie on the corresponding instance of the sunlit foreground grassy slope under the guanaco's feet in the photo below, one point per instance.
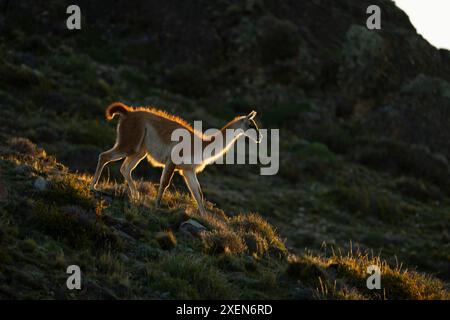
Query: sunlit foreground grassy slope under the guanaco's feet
(50, 219)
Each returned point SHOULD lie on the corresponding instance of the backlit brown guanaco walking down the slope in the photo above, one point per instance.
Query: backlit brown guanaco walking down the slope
(146, 133)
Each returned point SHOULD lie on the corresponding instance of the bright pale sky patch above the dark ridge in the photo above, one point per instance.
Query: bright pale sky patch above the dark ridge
(431, 18)
